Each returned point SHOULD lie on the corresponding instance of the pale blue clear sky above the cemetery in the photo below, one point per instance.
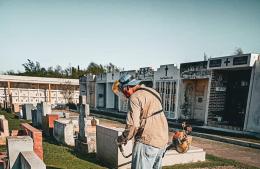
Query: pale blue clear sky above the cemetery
(129, 33)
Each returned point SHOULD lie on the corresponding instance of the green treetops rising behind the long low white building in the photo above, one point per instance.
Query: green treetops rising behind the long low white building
(32, 68)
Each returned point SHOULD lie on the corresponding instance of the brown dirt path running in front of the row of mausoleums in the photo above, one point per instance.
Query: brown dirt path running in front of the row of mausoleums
(244, 155)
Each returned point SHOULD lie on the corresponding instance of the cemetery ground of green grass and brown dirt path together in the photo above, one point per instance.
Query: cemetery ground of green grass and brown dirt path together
(219, 155)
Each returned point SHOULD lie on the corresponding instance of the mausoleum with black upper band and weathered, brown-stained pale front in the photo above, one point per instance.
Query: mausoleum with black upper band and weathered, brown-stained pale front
(194, 89)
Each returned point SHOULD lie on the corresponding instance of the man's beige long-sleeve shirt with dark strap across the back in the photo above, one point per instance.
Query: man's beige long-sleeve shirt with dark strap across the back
(154, 129)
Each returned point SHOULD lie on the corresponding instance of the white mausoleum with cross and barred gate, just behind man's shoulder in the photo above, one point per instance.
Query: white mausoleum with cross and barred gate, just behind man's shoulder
(166, 82)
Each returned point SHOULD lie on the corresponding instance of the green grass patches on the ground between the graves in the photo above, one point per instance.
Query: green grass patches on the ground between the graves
(57, 156)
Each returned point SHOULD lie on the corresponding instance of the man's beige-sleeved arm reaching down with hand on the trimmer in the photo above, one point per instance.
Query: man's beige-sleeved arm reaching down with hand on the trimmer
(132, 120)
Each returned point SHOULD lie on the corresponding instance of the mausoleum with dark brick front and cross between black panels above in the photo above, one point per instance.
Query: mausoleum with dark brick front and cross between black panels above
(229, 93)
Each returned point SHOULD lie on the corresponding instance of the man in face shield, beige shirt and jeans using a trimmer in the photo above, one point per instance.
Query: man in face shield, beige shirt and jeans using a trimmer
(145, 122)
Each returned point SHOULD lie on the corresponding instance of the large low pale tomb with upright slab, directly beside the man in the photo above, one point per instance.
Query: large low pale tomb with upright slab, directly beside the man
(108, 152)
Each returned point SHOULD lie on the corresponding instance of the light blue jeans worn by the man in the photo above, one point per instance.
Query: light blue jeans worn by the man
(146, 157)
